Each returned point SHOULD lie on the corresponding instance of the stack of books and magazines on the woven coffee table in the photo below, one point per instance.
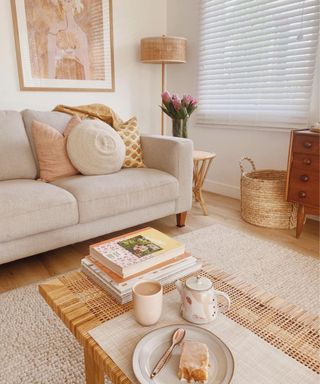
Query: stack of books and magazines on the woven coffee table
(147, 254)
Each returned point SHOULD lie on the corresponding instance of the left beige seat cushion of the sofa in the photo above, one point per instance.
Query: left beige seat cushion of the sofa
(28, 207)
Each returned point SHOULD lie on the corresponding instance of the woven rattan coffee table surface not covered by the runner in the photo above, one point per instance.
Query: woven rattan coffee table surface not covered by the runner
(82, 306)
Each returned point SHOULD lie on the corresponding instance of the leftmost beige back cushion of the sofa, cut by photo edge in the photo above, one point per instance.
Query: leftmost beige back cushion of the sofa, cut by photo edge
(16, 159)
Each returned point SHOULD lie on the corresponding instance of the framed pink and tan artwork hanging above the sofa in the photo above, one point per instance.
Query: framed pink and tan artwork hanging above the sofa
(64, 45)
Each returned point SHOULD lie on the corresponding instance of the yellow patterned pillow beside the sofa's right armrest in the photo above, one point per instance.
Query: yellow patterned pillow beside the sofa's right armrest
(129, 133)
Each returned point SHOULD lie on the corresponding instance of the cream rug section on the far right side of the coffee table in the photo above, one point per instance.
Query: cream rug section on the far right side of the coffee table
(276, 269)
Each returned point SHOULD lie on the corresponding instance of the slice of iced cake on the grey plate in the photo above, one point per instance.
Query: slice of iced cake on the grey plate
(194, 362)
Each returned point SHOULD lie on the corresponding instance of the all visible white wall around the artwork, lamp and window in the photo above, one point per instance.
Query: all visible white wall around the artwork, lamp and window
(138, 87)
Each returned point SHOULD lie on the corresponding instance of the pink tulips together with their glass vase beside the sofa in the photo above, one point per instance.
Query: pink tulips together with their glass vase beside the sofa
(179, 110)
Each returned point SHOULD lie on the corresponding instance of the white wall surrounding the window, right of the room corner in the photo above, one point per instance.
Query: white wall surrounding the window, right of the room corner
(267, 149)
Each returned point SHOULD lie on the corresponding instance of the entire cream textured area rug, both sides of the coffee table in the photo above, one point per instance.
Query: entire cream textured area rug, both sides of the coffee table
(36, 348)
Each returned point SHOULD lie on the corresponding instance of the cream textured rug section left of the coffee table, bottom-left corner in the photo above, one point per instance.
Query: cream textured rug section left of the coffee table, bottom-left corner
(35, 346)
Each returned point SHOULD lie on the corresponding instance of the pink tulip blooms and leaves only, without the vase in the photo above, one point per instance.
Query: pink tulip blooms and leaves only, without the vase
(177, 108)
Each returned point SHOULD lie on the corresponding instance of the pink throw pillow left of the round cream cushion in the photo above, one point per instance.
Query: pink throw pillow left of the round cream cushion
(51, 148)
